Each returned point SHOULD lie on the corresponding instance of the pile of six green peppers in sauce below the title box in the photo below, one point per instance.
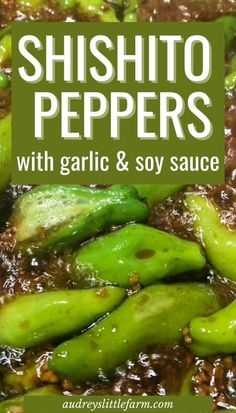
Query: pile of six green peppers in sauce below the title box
(138, 256)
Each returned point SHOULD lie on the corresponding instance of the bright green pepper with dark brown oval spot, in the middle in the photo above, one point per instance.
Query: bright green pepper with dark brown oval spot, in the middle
(137, 254)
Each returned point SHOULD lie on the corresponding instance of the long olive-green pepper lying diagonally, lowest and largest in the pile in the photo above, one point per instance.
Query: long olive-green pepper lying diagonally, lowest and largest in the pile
(156, 315)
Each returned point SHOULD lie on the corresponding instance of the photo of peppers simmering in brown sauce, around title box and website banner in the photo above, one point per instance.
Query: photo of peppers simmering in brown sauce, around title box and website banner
(117, 290)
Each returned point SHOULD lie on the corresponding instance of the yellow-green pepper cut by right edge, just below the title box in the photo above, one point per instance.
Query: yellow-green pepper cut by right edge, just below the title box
(218, 241)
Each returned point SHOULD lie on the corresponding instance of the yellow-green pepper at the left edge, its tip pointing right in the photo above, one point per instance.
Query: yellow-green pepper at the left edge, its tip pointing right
(31, 320)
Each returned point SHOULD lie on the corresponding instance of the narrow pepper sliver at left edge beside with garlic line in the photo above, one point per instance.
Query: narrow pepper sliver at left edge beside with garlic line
(5, 152)
